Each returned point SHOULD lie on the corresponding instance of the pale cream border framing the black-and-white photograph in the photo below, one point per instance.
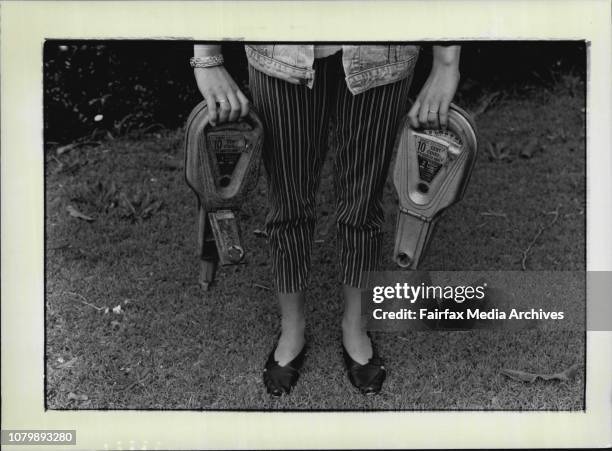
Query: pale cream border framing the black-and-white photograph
(25, 26)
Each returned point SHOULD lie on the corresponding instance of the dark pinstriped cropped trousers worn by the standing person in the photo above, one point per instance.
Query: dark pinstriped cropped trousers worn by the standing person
(297, 124)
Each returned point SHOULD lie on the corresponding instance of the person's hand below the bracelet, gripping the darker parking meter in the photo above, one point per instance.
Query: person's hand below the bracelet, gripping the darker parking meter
(225, 100)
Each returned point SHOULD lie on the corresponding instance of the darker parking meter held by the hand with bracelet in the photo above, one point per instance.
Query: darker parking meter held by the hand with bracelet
(222, 168)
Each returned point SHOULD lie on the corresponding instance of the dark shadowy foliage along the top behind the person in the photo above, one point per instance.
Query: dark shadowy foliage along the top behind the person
(95, 89)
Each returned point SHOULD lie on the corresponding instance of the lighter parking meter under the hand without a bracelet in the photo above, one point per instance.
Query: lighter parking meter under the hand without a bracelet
(432, 170)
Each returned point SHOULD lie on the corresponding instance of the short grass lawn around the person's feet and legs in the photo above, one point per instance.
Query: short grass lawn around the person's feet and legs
(172, 346)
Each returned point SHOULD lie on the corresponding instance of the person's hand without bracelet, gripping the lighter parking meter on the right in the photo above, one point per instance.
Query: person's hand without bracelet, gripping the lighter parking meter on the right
(430, 110)
